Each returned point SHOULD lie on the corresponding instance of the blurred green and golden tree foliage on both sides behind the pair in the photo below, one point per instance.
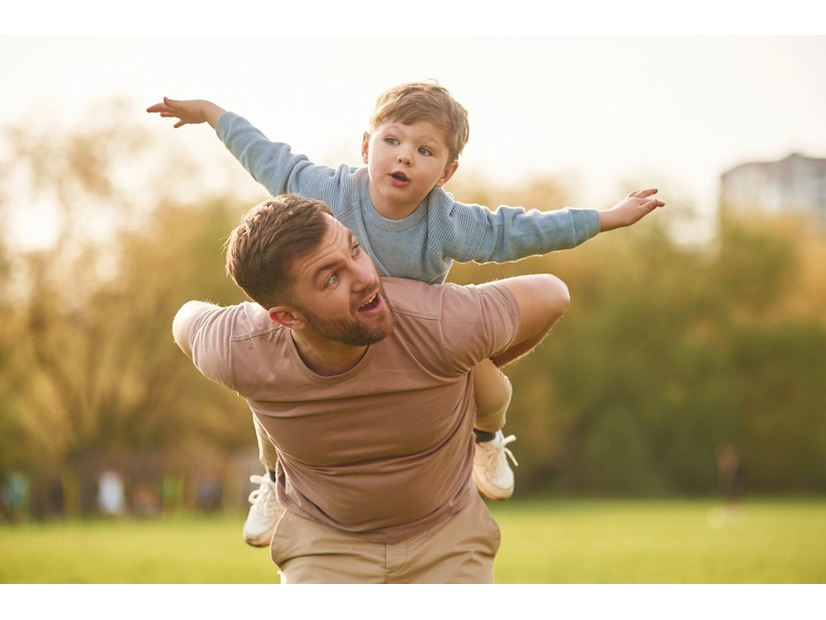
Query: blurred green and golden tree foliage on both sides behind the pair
(668, 352)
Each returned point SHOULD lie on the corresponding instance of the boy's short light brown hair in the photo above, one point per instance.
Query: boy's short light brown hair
(424, 101)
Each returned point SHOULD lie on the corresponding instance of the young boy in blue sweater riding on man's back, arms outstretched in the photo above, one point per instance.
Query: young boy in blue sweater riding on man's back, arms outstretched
(411, 228)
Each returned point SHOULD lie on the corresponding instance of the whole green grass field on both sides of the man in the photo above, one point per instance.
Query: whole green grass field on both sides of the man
(549, 542)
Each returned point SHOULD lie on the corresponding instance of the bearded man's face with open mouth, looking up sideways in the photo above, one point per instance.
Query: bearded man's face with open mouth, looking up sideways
(337, 292)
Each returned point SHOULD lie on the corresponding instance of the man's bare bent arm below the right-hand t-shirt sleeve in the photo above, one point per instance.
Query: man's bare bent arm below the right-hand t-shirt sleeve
(541, 300)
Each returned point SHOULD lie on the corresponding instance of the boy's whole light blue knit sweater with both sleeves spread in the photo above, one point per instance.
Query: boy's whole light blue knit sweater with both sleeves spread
(423, 245)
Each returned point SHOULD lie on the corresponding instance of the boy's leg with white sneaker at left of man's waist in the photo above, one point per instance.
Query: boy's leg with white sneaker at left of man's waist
(264, 512)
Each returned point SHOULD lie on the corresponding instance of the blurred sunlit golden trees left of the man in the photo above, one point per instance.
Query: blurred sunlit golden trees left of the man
(98, 371)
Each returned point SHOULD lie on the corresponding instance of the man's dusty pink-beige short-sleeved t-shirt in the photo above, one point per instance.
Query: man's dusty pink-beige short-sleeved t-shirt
(385, 450)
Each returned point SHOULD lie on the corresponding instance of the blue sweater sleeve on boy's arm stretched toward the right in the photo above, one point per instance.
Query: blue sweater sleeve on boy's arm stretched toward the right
(469, 232)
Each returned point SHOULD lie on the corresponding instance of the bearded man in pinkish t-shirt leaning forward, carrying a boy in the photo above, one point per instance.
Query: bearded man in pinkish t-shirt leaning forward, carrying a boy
(362, 384)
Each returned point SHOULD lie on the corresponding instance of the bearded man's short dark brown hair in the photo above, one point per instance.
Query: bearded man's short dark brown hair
(271, 235)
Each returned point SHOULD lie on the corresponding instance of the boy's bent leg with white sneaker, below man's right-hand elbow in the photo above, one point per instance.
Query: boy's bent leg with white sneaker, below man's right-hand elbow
(491, 471)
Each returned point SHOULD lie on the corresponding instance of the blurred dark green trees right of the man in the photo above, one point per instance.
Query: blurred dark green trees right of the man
(658, 364)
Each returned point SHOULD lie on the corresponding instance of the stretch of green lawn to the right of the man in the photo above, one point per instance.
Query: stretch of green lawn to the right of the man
(662, 542)
